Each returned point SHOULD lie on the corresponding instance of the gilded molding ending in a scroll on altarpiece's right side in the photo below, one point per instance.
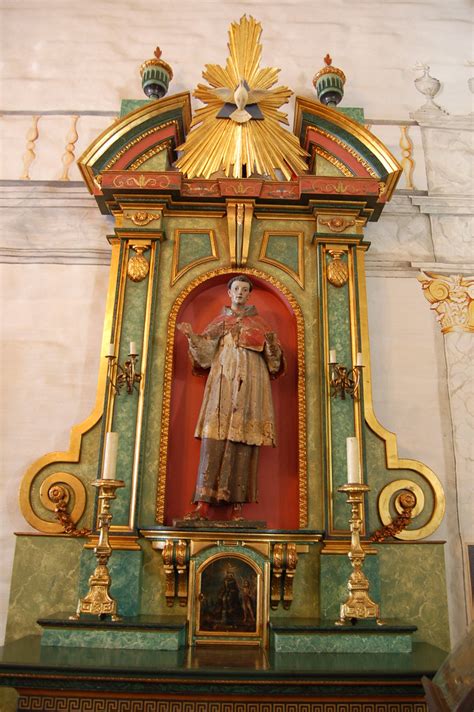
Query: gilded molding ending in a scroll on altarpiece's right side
(393, 462)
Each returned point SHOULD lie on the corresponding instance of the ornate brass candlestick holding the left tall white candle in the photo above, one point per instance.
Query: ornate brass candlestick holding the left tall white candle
(98, 600)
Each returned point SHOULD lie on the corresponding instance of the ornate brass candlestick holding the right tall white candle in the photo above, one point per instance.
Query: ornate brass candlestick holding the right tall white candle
(358, 605)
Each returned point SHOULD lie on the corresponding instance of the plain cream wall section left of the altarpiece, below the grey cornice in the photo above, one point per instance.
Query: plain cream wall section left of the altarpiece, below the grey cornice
(51, 320)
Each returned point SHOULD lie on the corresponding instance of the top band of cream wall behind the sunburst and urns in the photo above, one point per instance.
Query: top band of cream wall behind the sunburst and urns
(86, 55)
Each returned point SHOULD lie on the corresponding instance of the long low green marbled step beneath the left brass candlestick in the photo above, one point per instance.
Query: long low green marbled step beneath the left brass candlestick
(124, 640)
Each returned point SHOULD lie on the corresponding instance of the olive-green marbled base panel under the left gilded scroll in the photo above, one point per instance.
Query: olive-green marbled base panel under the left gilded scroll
(44, 580)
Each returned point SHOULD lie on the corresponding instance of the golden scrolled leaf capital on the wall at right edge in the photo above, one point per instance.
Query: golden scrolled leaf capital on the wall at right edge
(452, 298)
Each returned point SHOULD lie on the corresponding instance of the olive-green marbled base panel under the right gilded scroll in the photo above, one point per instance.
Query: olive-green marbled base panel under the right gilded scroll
(413, 588)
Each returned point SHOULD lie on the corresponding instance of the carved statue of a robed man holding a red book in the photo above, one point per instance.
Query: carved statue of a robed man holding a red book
(242, 354)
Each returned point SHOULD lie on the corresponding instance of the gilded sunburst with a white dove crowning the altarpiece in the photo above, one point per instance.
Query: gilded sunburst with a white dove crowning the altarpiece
(238, 130)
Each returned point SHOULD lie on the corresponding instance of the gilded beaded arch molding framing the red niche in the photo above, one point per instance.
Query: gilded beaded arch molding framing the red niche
(168, 374)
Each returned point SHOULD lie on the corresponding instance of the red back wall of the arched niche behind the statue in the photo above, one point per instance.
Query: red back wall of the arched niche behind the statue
(278, 501)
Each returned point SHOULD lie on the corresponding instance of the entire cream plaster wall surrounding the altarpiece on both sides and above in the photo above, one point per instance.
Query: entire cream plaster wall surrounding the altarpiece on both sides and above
(84, 57)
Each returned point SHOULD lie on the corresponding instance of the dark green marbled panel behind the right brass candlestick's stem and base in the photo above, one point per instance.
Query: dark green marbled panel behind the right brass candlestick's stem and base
(335, 572)
